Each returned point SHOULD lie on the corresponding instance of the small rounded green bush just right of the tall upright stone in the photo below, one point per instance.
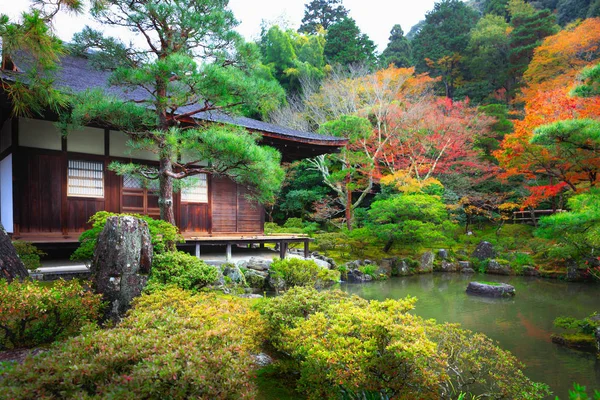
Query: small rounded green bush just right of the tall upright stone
(180, 269)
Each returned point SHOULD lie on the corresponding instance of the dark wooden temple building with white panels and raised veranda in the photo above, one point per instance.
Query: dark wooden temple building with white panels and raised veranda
(50, 185)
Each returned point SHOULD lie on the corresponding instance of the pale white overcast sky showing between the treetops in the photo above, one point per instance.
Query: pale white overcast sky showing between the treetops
(374, 17)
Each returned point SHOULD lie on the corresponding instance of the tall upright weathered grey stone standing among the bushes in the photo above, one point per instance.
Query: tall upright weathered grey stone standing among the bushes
(121, 263)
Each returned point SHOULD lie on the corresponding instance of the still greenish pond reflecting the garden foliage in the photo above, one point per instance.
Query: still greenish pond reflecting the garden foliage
(522, 324)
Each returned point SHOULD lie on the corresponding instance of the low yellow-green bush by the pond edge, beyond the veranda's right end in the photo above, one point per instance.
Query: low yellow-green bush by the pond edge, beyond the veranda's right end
(298, 272)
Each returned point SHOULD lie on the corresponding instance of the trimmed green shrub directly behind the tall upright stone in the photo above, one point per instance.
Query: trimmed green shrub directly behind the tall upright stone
(164, 236)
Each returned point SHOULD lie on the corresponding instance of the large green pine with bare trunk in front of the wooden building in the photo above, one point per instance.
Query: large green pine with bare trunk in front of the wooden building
(191, 61)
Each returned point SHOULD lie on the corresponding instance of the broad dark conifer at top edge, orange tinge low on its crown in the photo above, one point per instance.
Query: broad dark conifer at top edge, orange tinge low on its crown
(442, 41)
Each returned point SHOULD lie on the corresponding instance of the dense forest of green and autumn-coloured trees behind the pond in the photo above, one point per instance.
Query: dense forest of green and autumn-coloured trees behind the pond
(457, 113)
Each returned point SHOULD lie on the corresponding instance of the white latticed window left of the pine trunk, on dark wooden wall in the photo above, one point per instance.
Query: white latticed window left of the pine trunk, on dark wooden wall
(85, 178)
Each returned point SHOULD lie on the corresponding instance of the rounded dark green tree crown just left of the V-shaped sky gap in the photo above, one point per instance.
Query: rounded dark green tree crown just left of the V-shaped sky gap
(346, 45)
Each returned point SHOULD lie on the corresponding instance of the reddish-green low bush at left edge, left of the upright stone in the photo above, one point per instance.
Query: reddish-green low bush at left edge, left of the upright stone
(32, 314)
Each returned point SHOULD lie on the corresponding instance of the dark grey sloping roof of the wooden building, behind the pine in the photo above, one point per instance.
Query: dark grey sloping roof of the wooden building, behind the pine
(77, 75)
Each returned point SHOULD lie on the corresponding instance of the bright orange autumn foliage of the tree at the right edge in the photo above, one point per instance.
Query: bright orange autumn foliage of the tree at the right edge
(549, 78)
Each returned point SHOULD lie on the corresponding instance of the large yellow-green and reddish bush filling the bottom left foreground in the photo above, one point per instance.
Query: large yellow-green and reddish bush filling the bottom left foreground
(171, 345)
